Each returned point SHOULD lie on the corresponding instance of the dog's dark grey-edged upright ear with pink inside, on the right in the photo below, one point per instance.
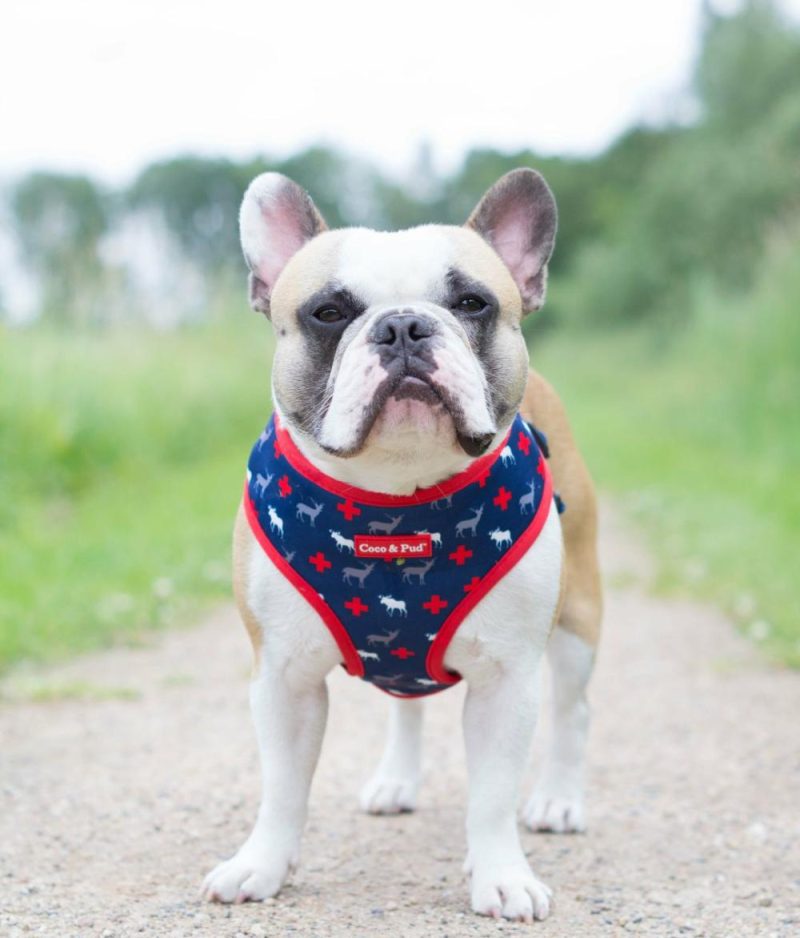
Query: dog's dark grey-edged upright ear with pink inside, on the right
(518, 218)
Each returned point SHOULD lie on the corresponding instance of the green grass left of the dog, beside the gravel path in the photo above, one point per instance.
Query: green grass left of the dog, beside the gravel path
(123, 460)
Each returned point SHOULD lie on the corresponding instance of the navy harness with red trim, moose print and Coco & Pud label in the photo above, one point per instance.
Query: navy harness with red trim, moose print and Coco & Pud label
(394, 576)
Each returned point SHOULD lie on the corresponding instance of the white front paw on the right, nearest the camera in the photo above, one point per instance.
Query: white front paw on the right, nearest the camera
(509, 891)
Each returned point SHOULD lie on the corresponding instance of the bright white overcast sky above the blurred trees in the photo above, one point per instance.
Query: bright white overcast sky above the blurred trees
(105, 86)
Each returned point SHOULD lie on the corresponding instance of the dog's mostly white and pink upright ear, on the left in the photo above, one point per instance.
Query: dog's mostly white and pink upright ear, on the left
(276, 219)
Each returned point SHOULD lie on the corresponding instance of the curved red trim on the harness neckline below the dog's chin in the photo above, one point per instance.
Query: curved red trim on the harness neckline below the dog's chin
(431, 494)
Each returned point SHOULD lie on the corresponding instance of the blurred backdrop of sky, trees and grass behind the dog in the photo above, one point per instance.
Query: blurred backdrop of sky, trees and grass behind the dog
(133, 376)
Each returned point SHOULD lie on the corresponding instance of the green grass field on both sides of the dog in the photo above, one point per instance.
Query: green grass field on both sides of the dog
(122, 456)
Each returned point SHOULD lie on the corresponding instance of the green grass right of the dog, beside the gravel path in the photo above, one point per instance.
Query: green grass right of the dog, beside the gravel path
(699, 434)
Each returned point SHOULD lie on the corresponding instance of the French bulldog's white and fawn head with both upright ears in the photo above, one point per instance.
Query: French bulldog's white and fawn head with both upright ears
(399, 341)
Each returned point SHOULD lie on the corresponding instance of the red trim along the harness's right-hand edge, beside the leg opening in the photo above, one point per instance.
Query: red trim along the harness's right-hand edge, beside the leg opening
(434, 663)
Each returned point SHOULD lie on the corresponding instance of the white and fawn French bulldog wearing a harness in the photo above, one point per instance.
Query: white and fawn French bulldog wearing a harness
(400, 369)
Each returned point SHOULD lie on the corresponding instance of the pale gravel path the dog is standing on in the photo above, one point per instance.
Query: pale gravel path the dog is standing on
(113, 809)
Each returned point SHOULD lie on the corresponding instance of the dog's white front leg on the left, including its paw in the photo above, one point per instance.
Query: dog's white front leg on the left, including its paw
(289, 707)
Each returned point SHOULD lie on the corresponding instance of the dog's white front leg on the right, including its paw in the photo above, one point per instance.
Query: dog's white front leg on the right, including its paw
(499, 720)
